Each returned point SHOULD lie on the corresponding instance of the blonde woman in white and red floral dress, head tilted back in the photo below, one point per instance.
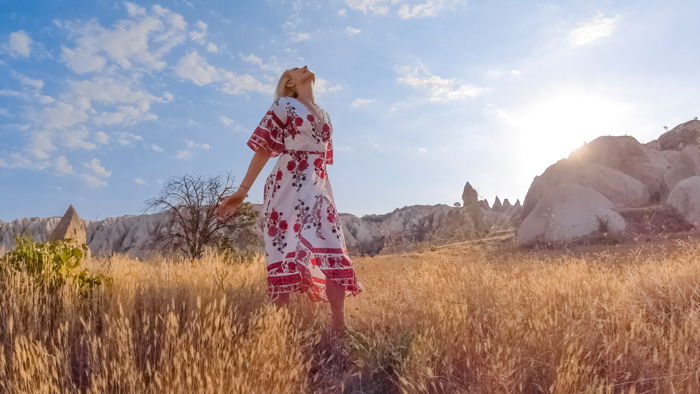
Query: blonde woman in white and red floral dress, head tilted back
(305, 248)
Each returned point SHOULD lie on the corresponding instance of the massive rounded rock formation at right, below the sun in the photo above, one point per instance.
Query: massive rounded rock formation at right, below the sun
(627, 175)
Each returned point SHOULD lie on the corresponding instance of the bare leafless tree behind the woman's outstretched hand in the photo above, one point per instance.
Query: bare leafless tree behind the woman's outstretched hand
(190, 202)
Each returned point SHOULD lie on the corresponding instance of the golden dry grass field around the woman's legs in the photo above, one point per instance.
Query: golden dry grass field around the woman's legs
(458, 319)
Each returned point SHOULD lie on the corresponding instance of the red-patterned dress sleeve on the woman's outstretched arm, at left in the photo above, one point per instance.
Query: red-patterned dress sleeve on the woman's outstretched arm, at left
(269, 134)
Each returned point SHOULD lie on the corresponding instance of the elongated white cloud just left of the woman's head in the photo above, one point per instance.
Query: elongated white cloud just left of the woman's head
(195, 68)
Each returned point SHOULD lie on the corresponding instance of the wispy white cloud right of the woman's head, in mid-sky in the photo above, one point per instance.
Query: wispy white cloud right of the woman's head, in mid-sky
(436, 87)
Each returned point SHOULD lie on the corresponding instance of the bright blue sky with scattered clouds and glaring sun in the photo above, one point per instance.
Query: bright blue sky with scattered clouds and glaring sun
(102, 101)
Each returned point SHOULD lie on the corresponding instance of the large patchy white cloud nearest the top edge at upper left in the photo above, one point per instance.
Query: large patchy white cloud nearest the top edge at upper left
(142, 40)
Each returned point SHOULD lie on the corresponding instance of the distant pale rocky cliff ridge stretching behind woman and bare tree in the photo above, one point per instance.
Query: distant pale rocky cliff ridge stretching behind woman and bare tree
(399, 230)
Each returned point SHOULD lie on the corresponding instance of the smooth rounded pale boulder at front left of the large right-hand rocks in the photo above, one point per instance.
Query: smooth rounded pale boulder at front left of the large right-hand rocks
(567, 212)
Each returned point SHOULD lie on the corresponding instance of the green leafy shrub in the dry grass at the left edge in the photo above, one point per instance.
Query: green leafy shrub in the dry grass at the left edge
(53, 264)
